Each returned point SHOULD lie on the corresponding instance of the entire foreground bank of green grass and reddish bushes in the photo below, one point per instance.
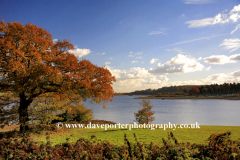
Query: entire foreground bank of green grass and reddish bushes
(91, 144)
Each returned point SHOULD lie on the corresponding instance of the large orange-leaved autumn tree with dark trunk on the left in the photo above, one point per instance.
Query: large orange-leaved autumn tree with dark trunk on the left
(32, 65)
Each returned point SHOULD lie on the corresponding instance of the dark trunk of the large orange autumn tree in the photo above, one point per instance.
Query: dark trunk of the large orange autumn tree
(23, 112)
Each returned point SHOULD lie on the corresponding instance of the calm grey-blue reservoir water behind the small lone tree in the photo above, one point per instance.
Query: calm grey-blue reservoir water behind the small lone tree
(181, 111)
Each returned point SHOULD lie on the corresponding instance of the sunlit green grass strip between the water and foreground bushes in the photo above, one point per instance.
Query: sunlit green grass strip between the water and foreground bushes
(116, 136)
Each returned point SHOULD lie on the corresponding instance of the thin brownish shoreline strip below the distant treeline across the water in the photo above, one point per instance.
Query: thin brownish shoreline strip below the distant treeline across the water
(172, 98)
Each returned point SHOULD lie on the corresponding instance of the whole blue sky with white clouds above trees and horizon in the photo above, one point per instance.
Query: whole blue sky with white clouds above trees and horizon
(145, 44)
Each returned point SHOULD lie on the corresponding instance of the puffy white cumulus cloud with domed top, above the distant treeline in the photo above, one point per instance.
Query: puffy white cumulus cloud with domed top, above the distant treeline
(178, 64)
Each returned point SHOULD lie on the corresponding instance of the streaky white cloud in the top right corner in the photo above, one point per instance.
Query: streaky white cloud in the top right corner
(220, 18)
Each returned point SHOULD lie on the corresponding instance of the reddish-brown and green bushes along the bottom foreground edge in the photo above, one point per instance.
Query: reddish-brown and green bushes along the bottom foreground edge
(219, 147)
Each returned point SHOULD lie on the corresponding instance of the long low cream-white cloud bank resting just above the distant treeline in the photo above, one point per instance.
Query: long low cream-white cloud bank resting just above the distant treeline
(139, 79)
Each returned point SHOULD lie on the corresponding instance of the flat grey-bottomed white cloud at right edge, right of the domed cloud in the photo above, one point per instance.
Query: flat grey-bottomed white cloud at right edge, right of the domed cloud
(222, 59)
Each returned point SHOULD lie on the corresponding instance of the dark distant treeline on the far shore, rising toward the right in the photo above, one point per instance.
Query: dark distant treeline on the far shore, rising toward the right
(226, 88)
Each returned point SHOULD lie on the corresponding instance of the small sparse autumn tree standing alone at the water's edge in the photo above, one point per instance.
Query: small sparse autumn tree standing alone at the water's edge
(145, 115)
